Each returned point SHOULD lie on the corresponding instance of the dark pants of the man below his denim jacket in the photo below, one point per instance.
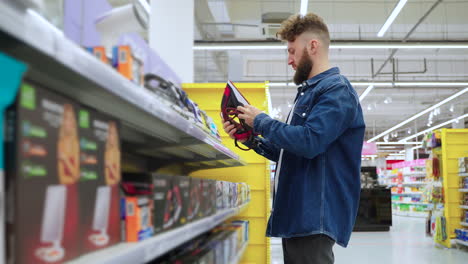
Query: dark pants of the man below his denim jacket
(315, 249)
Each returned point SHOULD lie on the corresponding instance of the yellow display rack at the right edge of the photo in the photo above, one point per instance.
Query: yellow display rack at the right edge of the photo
(454, 145)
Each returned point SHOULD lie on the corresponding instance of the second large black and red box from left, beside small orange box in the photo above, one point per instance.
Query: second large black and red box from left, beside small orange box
(100, 175)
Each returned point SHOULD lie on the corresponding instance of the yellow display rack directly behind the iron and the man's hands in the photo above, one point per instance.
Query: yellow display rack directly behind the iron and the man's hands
(256, 174)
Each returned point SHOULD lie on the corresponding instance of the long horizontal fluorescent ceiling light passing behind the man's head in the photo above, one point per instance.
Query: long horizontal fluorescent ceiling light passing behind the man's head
(279, 46)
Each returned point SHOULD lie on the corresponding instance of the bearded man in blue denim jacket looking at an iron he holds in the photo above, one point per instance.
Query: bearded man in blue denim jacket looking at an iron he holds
(317, 150)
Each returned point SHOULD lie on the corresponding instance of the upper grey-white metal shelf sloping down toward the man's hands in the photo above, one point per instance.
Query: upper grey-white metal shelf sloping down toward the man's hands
(149, 126)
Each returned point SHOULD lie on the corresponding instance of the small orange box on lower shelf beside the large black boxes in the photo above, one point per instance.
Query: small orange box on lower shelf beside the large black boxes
(137, 212)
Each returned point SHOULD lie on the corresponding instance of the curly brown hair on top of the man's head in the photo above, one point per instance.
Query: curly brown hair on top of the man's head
(295, 25)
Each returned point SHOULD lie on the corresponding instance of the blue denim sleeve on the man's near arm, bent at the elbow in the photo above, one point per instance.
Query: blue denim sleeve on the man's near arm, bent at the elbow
(334, 112)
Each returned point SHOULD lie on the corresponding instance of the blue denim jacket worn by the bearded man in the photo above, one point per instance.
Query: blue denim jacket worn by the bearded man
(319, 181)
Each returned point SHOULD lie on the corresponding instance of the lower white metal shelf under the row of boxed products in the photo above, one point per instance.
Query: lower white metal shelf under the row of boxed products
(147, 250)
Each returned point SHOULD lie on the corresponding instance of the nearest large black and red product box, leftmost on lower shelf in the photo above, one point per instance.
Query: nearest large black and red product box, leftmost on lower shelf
(42, 177)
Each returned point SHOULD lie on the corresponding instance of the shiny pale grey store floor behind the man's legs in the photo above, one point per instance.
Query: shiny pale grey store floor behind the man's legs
(405, 243)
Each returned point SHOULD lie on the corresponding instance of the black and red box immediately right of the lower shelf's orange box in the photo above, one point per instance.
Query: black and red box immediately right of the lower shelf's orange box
(162, 198)
